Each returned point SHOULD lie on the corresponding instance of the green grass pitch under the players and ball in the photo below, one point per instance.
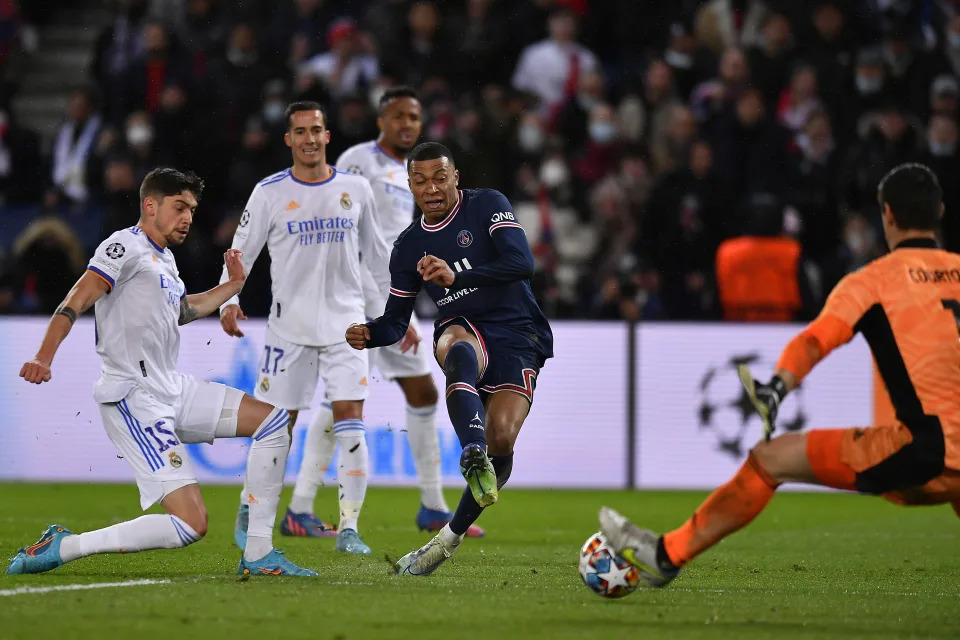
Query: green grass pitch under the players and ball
(811, 566)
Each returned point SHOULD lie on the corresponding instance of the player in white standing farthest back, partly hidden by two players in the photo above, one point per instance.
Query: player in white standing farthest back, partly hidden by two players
(383, 163)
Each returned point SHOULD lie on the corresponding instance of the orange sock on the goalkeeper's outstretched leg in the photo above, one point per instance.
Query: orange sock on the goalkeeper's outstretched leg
(726, 510)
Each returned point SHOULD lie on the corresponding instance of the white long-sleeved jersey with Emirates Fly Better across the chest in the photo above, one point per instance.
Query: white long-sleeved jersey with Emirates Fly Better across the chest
(316, 233)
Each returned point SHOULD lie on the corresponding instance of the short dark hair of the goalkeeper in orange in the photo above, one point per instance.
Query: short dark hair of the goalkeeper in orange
(914, 195)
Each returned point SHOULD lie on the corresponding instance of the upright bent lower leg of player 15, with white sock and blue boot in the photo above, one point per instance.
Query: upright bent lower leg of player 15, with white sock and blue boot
(266, 464)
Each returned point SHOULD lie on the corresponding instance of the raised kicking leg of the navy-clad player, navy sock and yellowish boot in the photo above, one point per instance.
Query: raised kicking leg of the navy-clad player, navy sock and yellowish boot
(468, 418)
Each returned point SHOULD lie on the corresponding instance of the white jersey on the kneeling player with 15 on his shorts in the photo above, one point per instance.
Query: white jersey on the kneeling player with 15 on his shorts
(137, 322)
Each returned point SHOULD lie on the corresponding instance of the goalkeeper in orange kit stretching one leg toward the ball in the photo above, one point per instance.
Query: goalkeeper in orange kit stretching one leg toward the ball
(907, 306)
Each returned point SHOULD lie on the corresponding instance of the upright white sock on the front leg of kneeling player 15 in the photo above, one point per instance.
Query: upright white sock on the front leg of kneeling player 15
(265, 466)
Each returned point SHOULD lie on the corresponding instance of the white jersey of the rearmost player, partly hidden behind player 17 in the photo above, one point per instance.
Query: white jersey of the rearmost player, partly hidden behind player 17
(395, 205)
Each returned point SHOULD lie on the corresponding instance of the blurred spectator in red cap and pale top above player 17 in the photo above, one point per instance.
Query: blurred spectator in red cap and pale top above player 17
(348, 68)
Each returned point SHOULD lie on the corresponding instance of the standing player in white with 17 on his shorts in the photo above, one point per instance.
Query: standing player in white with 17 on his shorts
(318, 224)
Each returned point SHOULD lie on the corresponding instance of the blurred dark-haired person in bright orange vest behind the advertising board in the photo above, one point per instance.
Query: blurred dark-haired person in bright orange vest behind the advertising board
(759, 275)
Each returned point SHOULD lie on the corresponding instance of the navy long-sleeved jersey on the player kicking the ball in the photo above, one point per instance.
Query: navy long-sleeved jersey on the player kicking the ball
(487, 249)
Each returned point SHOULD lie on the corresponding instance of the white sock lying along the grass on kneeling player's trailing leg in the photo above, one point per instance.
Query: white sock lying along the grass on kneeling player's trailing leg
(153, 531)
